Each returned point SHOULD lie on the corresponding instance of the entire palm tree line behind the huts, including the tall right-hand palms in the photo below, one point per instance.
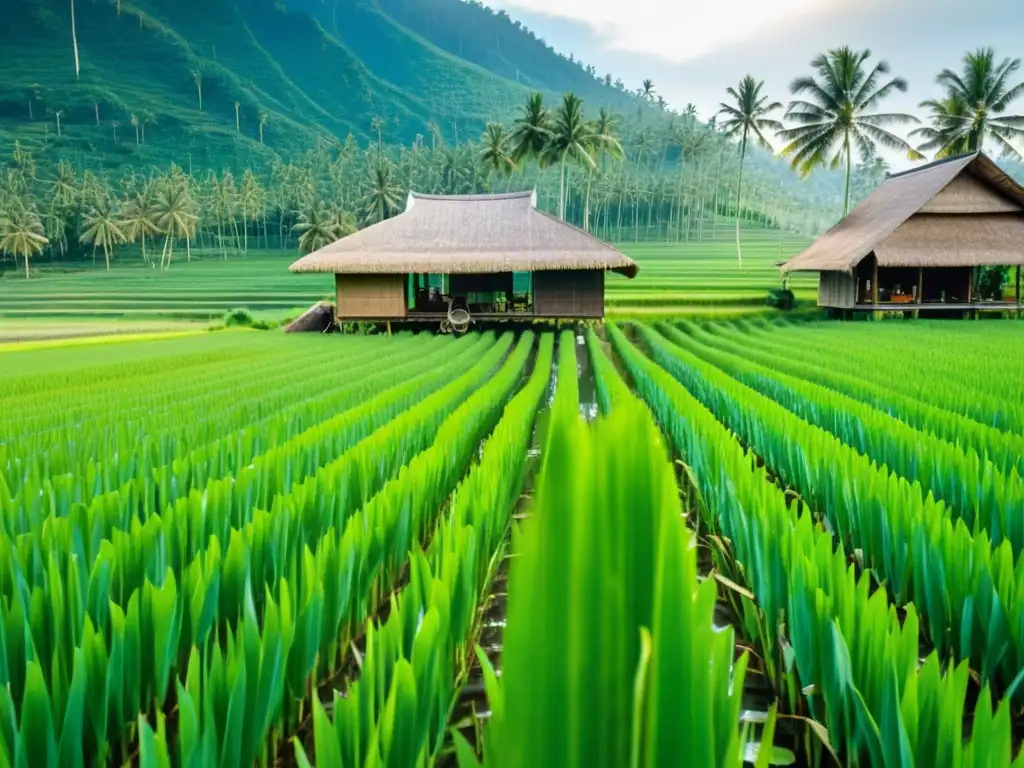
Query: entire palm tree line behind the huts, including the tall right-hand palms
(621, 177)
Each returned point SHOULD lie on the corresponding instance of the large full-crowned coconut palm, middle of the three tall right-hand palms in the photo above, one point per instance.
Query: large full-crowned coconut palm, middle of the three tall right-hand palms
(832, 113)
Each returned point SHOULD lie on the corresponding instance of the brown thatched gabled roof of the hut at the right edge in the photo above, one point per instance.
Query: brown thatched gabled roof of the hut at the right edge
(964, 211)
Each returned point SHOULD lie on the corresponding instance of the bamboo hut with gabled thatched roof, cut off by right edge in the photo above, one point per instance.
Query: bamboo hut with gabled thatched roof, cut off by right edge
(915, 244)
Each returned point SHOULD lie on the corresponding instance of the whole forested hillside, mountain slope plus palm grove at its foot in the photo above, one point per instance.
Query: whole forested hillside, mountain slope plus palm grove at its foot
(275, 117)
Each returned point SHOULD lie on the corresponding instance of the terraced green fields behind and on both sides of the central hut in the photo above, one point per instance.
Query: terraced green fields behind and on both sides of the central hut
(677, 279)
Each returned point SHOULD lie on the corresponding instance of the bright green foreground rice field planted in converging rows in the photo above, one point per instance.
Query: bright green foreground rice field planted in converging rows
(657, 543)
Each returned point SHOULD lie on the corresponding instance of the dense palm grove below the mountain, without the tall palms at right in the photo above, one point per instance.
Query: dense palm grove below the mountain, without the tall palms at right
(622, 177)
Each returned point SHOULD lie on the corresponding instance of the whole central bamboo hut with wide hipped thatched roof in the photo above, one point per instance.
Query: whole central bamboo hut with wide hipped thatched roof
(486, 258)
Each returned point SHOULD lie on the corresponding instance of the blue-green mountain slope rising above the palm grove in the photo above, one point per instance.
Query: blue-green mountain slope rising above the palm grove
(308, 71)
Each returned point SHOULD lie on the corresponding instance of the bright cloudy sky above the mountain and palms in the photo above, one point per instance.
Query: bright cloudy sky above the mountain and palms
(694, 50)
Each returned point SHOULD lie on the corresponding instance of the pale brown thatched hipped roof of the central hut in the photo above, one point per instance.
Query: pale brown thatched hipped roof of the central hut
(472, 234)
